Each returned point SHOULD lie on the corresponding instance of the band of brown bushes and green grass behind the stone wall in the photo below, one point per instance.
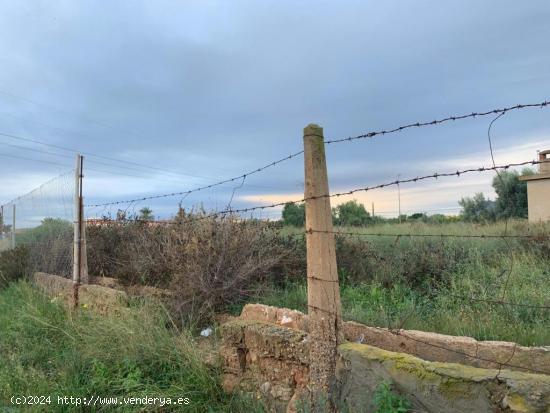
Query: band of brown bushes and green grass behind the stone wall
(217, 265)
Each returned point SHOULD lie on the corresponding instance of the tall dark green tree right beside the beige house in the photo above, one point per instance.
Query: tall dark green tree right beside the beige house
(511, 199)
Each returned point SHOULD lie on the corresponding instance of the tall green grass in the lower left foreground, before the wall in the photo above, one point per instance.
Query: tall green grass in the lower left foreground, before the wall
(47, 351)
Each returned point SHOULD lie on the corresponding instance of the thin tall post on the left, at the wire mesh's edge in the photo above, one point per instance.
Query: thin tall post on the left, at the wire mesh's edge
(80, 268)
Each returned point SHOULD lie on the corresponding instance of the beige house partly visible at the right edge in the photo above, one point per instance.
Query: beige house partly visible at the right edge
(538, 190)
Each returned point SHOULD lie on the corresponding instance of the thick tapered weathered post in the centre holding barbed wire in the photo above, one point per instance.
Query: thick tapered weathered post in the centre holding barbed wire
(324, 306)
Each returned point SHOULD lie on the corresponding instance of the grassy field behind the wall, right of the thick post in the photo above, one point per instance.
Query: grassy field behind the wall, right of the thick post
(424, 284)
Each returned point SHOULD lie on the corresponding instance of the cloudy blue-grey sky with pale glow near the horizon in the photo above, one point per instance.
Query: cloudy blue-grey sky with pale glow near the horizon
(165, 96)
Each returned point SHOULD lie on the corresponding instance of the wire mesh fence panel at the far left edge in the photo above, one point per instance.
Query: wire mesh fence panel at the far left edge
(41, 222)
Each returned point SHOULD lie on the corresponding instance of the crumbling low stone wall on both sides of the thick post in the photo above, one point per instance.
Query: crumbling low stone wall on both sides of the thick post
(265, 351)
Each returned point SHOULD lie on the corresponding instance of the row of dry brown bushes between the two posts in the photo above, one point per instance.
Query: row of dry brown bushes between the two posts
(206, 263)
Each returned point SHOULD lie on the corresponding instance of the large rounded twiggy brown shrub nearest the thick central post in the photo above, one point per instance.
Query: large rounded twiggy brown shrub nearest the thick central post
(220, 262)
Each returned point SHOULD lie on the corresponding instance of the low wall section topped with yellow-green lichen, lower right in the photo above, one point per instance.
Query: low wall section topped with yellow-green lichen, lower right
(436, 387)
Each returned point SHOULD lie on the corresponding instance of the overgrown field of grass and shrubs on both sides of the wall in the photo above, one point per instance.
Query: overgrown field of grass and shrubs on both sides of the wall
(487, 288)
